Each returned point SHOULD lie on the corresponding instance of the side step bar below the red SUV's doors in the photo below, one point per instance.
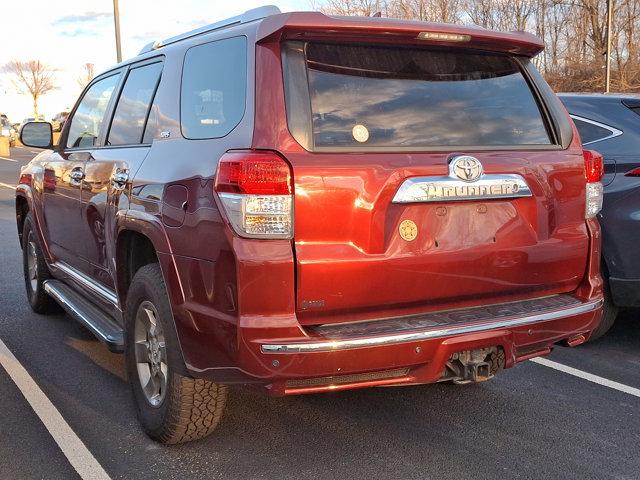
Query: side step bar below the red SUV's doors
(99, 323)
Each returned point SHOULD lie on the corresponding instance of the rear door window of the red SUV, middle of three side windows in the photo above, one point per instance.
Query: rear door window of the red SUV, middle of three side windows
(133, 105)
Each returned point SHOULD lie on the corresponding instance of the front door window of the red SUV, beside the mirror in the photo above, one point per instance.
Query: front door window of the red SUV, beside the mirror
(86, 122)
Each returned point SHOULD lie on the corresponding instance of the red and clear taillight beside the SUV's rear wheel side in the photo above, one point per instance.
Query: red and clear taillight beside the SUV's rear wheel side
(255, 189)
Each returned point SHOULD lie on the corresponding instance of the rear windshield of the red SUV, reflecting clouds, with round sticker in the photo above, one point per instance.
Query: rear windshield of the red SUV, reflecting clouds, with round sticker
(379, 96)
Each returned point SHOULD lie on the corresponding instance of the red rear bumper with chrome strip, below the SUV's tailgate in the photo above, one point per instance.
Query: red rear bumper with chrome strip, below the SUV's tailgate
(332, 359)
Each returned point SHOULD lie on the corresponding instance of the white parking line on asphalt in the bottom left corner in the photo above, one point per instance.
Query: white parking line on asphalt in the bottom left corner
(76, 452)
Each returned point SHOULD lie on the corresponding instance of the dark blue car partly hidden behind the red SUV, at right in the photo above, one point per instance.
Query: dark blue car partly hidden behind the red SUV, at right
(611, 125)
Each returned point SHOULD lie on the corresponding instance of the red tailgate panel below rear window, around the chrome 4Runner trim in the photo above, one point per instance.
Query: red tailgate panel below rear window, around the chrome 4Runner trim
(351, 257)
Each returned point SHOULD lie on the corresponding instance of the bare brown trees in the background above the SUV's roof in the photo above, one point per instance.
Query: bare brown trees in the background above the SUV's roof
(574, 32)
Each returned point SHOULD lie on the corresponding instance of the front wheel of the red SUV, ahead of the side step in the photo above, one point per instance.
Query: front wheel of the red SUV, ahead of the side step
(34, 279)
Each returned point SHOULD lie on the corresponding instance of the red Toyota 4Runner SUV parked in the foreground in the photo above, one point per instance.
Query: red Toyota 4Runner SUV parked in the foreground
(306, 203)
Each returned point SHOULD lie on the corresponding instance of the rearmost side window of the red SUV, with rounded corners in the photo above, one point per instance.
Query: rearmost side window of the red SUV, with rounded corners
(214, 81)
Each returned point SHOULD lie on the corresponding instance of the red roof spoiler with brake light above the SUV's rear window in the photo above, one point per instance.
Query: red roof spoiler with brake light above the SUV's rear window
(304, 25)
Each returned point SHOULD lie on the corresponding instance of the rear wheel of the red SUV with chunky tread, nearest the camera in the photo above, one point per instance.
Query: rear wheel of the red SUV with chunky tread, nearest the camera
(187, 408)
